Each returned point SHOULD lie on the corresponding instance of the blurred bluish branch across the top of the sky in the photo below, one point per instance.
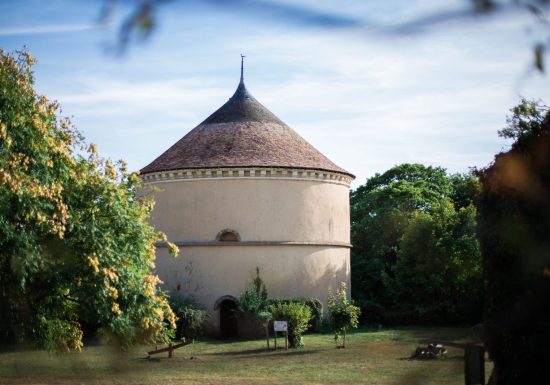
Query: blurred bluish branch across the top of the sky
(141, 19)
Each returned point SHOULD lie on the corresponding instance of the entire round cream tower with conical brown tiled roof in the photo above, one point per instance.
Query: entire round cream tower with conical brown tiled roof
(242, 191)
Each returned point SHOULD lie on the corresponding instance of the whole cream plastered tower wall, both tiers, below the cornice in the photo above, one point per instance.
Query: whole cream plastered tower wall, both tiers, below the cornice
(312, 214)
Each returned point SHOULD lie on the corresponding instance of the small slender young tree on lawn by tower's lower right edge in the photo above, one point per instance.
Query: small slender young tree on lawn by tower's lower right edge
(343, 314)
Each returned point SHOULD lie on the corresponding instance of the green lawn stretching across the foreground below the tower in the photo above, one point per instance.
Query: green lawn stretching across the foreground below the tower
(372, 357)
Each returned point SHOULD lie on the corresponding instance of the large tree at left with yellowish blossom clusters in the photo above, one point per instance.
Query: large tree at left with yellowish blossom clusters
(76, 249)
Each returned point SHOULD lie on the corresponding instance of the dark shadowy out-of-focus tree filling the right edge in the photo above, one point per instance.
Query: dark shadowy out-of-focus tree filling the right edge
(514, 223)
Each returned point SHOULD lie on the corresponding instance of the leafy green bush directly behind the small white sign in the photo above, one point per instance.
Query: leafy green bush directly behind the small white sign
(297, 315)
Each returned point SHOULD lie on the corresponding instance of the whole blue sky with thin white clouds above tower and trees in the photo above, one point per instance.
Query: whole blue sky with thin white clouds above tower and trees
(361, 82)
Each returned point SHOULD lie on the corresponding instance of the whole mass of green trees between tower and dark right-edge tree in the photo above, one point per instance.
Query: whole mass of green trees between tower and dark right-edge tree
(415, 256)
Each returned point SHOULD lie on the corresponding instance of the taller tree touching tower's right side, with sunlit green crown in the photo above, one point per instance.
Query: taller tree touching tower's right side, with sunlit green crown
(380, 209)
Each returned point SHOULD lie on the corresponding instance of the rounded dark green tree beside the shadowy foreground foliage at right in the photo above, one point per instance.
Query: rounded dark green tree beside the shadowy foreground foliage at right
(437, 275)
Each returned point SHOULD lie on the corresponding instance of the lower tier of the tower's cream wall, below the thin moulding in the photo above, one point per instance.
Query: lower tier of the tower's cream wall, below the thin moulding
(217, 275)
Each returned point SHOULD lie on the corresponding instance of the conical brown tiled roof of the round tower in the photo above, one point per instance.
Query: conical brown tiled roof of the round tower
(242, 133)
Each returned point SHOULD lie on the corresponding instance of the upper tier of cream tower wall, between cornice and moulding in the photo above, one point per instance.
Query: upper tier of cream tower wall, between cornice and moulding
(258, 209)
